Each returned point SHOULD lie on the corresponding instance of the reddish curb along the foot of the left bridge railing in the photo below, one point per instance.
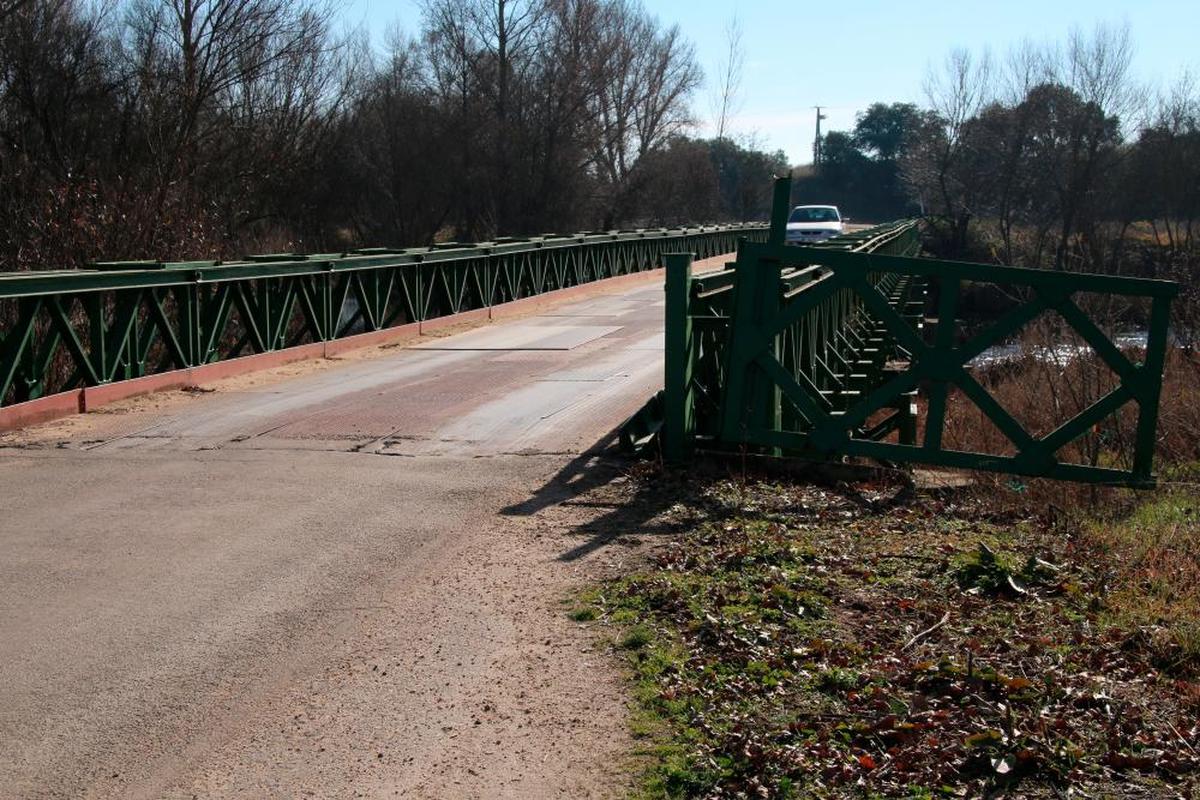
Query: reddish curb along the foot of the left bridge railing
(80, 401)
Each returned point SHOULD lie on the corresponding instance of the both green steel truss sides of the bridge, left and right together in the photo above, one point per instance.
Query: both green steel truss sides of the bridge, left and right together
(821, 352)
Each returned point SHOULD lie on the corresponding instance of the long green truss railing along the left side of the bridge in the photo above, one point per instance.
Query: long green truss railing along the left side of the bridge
(116, 321)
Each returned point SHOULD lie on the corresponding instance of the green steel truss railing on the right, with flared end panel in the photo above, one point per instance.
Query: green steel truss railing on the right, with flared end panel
(820, 352)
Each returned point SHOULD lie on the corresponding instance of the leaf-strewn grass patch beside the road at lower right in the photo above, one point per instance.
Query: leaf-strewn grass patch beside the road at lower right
(805, 643)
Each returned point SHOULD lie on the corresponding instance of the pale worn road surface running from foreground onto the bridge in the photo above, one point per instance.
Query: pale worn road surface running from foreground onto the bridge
(338, 585)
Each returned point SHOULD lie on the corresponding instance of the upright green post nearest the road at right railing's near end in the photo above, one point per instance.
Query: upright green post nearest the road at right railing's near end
(679, 424)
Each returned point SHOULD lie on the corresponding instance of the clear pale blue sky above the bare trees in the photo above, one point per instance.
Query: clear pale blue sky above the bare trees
(847, 56)
